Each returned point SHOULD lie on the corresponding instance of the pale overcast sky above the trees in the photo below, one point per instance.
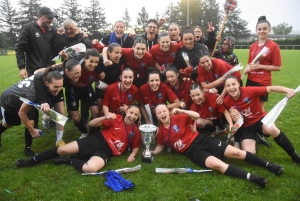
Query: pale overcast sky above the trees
(276, 11)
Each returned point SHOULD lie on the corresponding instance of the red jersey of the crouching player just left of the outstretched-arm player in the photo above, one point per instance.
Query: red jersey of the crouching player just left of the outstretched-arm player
(210, 109)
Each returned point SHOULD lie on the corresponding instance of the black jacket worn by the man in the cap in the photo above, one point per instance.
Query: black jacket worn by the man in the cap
(36, 46)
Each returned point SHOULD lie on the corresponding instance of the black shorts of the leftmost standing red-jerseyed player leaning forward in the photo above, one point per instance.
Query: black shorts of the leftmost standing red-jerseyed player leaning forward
(74, 94)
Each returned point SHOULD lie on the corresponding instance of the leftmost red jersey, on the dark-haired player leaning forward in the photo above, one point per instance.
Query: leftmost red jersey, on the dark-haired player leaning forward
(87, 77)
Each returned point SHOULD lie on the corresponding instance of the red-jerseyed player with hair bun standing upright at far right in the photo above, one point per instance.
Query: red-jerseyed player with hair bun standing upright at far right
(259, 74)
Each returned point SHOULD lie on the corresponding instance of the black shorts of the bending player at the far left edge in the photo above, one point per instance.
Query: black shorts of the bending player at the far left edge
(12, 117)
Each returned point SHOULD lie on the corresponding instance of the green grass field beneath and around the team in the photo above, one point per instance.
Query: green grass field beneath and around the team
(46, 181)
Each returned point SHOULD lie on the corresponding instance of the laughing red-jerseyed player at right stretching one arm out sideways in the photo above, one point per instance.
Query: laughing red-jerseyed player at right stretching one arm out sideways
(245, 101)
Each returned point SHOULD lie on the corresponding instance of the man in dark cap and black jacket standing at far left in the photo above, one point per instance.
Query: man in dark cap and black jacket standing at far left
(34, 50)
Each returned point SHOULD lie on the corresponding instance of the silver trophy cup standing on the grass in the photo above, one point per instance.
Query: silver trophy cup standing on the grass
(148, 133)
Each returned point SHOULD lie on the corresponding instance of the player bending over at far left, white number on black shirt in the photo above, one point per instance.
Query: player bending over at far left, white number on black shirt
(14, 111)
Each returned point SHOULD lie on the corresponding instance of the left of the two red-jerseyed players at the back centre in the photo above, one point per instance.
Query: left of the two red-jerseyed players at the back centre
(137, 58)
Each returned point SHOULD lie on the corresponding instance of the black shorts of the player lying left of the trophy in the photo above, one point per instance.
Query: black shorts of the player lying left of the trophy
(94, 145)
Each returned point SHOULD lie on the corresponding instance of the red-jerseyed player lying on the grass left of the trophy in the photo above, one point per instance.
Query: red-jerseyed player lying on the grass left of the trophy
(117, 135)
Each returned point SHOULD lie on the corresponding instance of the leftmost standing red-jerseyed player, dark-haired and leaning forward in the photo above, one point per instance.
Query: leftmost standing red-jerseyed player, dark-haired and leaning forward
(83, 90)
